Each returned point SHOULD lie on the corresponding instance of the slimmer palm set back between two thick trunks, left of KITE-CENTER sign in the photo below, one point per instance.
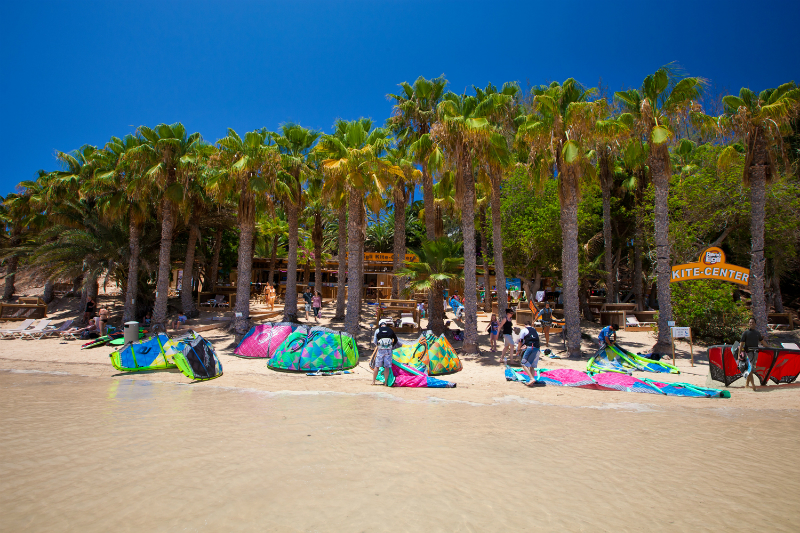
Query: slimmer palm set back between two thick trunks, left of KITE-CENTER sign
(608, 135)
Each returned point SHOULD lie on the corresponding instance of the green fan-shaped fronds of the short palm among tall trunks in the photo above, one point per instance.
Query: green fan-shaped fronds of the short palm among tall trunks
(439, 262)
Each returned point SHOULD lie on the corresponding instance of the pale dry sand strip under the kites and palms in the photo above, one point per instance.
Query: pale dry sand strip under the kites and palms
(481, 381)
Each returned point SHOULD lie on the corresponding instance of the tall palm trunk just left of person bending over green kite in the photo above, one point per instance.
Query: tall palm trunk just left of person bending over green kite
(570, 260)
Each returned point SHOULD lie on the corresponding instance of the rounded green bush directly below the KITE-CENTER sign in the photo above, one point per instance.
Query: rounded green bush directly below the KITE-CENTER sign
(707, 307)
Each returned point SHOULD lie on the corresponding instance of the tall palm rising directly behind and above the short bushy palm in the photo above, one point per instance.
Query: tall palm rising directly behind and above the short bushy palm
(414, 114)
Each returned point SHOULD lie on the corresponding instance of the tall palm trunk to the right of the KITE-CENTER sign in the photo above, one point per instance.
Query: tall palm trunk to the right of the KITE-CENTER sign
(758, 184)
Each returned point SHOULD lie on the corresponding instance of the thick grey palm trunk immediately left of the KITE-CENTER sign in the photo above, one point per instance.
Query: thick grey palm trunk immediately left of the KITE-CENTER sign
(659, 168)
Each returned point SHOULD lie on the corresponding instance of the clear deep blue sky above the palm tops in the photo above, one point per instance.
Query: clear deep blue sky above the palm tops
(79, 72)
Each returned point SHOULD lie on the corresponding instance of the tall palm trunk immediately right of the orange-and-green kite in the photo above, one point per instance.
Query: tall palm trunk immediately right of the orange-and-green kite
(470, 345)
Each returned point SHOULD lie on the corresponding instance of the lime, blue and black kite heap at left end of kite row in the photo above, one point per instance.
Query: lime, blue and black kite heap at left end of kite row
(193, 355)
